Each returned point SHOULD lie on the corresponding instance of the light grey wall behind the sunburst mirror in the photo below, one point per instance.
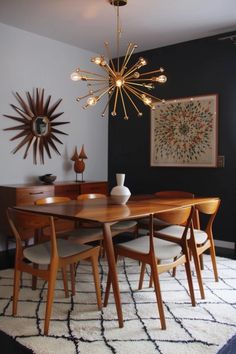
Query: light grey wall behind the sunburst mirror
(28, 61)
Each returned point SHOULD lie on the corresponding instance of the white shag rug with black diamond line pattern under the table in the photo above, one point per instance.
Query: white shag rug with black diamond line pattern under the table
(78, 327)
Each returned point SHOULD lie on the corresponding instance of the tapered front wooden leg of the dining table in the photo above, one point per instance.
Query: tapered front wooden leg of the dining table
(112, 268)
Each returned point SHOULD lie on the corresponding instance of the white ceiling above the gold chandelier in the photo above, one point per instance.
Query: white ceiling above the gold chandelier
(149, 23)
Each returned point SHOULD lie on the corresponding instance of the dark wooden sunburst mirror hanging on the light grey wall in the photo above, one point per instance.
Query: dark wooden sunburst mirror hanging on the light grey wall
(37, 127)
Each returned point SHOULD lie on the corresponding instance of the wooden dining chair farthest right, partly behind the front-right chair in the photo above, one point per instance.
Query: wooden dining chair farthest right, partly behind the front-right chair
(200, 240)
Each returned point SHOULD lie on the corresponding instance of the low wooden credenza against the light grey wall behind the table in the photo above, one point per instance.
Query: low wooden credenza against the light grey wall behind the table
(23, 194)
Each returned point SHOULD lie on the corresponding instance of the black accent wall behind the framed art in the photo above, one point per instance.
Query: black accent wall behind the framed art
(205, 66)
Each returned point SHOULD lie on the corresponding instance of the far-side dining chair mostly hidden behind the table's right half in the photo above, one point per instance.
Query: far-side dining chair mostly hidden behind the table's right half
(159, 224)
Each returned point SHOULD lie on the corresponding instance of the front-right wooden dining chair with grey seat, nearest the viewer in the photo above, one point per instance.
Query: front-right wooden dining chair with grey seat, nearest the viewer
(150, 250)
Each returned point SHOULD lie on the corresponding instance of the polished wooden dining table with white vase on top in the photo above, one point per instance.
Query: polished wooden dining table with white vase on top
(107, 212)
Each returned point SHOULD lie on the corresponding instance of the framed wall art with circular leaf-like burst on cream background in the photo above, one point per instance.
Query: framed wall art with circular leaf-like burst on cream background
(184, 132)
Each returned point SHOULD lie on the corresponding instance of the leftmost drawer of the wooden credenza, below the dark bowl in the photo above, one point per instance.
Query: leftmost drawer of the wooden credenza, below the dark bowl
(30, 194)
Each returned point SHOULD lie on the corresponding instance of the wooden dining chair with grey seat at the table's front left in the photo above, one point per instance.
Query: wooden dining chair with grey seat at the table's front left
(49, 256)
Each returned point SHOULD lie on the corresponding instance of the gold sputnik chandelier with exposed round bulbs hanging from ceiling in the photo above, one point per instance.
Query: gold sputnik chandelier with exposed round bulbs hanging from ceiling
(120, 81)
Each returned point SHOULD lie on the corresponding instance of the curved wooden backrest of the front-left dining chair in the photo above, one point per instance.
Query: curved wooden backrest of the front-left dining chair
(20, 221)
